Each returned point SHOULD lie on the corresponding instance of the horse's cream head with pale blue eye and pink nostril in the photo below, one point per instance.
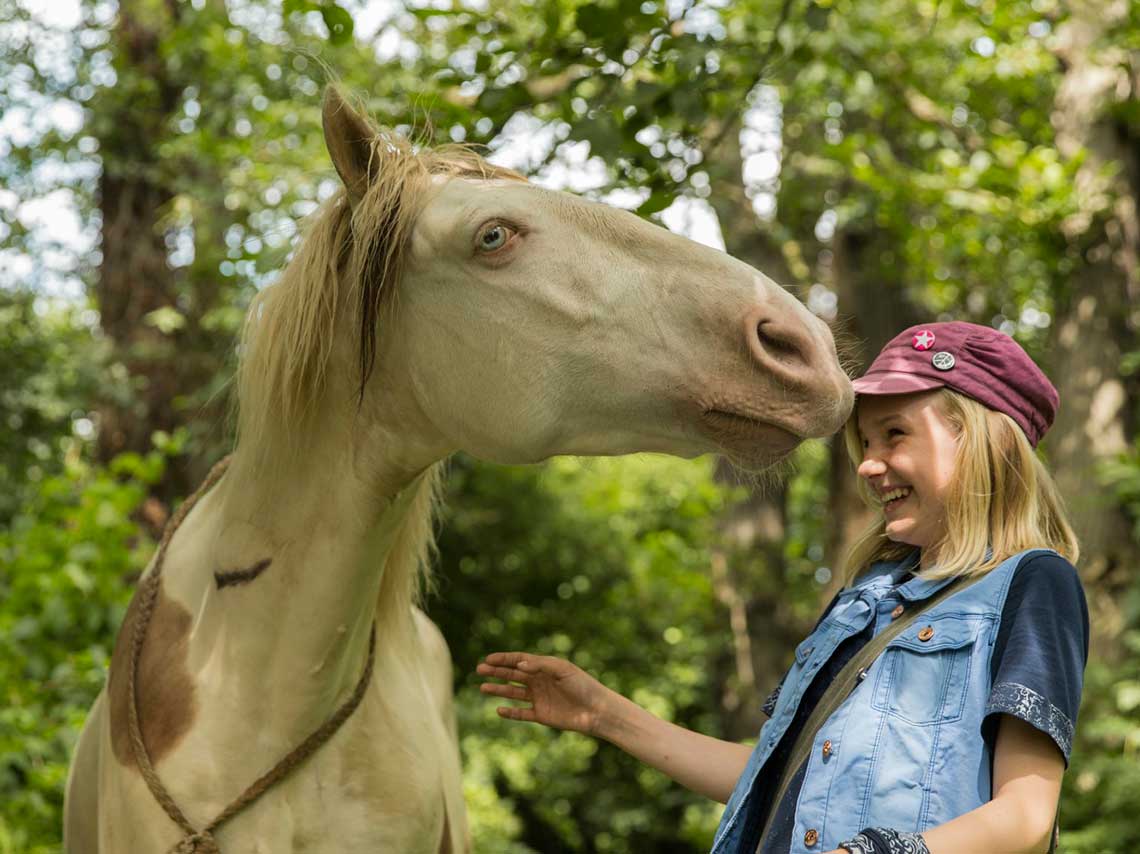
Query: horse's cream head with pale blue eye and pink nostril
(517, 323)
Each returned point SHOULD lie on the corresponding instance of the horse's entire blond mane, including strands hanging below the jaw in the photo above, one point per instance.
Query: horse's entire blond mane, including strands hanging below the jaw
(345, 272)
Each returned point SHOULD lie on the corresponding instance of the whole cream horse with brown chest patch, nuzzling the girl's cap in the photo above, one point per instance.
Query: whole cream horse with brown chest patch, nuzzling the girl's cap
(437, 304)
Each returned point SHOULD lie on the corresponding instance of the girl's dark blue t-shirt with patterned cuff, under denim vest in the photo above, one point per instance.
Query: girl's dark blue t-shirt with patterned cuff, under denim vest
(1037, 674)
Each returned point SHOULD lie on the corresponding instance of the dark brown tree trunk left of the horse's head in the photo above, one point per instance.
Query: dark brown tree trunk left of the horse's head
(150, 367)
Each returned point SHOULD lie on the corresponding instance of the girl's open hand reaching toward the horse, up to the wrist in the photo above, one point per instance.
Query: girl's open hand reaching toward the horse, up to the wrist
(559, 694)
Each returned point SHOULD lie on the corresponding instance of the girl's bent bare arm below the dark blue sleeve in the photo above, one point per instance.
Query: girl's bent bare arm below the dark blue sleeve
(1020, 820)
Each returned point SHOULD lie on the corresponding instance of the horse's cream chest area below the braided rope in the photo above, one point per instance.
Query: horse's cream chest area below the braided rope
(388, 783)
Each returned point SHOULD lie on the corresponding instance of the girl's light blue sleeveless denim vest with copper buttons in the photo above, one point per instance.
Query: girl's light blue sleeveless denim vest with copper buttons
(906, 749)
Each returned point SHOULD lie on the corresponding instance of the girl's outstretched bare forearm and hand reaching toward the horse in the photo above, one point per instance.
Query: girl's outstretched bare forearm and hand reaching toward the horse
(566, 697)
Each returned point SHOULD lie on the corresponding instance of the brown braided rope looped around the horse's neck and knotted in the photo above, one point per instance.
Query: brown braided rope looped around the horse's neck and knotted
(196, 841)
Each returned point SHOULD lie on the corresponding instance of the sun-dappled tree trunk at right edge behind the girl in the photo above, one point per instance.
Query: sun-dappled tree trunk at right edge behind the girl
(1097, 320)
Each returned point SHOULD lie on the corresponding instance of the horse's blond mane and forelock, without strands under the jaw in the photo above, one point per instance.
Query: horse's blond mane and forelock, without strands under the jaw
(347, 266)
